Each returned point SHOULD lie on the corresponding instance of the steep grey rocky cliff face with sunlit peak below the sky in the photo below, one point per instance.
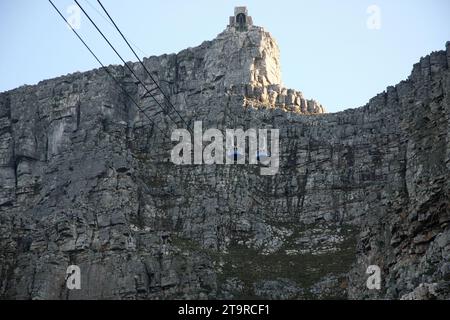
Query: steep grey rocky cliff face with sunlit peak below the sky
(87, 180)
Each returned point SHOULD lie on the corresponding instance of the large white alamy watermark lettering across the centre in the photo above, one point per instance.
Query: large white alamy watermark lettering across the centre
(235, 151)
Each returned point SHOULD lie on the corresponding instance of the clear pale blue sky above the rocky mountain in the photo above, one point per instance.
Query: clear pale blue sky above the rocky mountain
(341, 53)
